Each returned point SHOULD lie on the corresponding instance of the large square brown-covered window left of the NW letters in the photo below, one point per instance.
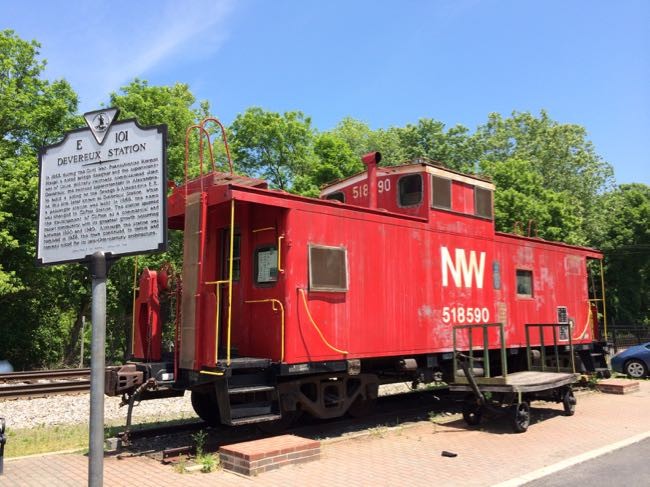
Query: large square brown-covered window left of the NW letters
(328, 269)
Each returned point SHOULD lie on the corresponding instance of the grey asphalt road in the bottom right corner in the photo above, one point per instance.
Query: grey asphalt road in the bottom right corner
(628, 466)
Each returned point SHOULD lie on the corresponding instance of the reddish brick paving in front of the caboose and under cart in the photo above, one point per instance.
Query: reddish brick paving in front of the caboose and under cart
(408, 455)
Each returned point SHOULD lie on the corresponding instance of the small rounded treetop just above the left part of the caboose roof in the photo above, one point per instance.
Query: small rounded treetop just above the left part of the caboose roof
(276, 147)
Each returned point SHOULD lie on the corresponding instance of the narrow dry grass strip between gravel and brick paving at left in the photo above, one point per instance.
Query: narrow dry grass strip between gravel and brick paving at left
(46, 439)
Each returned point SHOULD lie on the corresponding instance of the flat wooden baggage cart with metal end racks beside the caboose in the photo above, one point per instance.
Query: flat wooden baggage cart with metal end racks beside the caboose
(511, 394)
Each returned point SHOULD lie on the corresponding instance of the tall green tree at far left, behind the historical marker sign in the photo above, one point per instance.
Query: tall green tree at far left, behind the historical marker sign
(33, 301)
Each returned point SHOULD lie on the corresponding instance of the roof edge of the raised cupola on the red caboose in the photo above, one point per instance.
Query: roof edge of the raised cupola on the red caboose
(417, 165)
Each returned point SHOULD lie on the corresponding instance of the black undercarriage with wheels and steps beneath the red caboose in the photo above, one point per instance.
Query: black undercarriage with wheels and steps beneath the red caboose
(275, 395)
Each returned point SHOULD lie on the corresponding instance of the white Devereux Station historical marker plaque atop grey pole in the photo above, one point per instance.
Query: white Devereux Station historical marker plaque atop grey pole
(103, 189)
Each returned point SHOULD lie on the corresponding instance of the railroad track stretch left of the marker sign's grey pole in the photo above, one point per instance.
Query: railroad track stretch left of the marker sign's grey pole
(43, 383)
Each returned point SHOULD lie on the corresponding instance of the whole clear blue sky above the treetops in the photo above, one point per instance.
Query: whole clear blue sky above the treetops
(384, 62)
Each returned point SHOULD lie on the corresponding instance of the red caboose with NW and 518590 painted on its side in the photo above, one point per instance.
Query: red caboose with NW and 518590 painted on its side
(291, 304)
